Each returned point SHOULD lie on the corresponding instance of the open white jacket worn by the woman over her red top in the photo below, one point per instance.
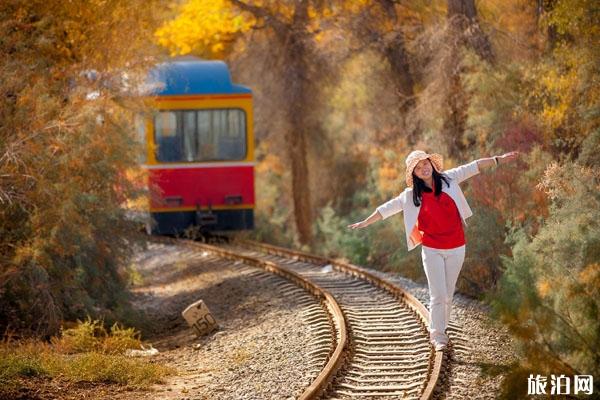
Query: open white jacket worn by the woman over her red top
(404, 202)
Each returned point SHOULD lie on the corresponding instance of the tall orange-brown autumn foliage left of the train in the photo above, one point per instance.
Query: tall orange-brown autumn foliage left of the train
(66, 143)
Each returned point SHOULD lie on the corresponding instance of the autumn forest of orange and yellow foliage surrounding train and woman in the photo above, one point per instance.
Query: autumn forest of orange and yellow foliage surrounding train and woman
(344, 90)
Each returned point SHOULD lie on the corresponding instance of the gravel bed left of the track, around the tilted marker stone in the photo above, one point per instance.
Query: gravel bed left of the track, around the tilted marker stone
(260, 350)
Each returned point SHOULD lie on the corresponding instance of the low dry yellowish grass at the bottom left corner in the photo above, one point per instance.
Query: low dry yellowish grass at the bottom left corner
(84, 353)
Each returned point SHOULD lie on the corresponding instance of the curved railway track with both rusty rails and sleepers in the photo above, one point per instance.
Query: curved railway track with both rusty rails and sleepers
(370, 335)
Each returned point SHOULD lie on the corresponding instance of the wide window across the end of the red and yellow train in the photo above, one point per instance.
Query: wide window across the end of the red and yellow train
(201, 135)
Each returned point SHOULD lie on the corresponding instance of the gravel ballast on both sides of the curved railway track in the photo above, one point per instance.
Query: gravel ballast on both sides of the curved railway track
(260, 350)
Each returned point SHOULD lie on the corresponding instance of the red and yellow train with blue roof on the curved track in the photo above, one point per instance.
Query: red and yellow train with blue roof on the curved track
(200, 149)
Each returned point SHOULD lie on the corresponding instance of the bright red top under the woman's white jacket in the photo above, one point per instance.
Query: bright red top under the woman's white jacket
(439, 221)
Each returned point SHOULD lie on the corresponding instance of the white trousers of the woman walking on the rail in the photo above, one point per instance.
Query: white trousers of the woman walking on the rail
(442, 267)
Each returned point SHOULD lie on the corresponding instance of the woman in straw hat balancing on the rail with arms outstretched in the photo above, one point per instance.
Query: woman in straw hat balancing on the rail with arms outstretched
(435, 210)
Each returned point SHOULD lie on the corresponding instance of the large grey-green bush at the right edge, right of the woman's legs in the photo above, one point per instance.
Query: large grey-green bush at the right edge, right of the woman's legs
(548, 295)
